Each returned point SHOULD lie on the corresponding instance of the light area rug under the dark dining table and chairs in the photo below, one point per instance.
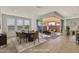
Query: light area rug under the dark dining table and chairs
(25, 46)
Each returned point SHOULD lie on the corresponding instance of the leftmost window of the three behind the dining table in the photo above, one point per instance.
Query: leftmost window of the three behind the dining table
(11, 23)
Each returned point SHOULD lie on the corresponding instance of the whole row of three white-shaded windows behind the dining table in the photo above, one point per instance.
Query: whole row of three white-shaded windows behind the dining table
(14, 23)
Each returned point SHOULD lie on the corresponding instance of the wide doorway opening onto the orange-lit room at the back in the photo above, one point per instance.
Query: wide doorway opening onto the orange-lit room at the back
(50, 23)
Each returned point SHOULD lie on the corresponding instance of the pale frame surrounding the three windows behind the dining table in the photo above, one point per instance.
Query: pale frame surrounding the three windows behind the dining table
(5, 16)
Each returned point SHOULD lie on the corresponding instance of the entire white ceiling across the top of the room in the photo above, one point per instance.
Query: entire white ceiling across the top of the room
(30, 11)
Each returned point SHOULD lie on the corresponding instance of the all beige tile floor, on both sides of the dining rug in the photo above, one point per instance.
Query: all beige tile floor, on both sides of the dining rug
(60, 44)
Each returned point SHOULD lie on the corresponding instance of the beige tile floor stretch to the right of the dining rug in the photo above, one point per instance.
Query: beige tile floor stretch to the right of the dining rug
(61, 44)
